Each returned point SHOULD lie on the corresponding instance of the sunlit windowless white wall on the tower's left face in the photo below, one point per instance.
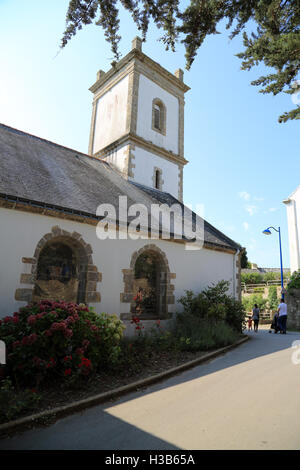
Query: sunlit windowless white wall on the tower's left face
(111, 111)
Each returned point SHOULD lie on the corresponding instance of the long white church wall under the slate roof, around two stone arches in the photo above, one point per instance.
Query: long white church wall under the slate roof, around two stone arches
(20, 233)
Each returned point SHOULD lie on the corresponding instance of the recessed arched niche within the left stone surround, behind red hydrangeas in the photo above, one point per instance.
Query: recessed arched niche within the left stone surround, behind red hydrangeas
(57, 275)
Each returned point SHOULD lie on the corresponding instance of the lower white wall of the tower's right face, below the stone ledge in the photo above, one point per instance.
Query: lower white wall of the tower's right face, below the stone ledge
(145, 162)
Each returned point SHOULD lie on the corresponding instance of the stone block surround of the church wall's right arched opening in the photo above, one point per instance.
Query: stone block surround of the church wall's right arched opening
(128, 277)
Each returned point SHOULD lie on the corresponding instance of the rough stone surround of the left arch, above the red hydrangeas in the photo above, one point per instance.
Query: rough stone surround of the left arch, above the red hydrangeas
(93, 276)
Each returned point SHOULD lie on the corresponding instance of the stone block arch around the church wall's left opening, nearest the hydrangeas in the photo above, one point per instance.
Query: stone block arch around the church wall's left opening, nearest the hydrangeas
(88, 275)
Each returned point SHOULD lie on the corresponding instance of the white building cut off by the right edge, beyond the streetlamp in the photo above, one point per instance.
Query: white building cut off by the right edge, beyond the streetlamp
(293, 215)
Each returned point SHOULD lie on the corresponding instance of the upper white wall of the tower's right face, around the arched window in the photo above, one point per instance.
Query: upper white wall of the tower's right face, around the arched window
(148, 91)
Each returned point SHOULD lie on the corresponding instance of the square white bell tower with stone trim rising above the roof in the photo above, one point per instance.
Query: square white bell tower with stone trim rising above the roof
(138, 121)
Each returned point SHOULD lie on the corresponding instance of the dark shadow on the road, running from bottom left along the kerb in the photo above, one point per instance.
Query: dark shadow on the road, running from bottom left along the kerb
(95, 428)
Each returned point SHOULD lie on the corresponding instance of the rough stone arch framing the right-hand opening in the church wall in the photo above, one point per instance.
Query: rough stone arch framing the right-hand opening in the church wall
(166, 289)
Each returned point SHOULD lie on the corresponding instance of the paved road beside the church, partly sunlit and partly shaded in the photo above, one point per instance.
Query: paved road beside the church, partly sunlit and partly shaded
(248, 398)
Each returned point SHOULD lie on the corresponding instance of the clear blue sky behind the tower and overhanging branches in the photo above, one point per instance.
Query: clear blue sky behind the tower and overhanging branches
(242, 162)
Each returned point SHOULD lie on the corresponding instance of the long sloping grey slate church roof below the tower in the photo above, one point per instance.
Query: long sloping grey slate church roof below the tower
(40, 171)
